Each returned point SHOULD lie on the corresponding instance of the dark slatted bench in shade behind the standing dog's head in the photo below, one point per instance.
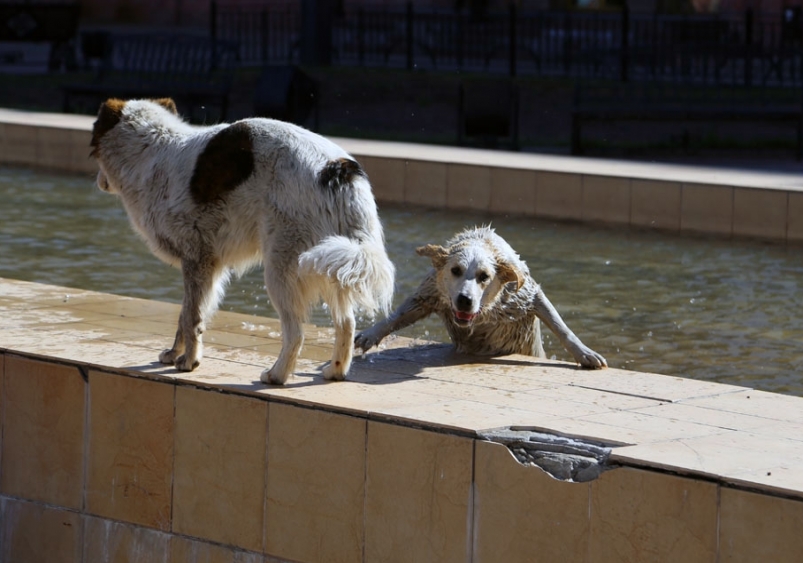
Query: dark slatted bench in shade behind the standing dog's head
(197, 72)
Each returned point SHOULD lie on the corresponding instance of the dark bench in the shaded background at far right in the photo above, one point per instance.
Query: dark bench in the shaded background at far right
(678, 103)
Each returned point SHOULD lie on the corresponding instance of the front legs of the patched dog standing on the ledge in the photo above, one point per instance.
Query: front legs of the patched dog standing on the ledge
(203, 283)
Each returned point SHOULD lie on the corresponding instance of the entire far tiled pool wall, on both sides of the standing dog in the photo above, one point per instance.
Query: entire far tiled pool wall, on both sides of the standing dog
(606, 196)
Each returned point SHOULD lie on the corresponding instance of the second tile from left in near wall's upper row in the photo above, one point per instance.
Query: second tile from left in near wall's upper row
(130, 454)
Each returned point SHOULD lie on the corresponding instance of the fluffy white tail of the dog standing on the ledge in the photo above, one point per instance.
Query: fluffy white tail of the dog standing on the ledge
(361, 268)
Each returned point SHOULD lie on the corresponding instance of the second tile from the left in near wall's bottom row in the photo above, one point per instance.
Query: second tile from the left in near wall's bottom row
(106, 541)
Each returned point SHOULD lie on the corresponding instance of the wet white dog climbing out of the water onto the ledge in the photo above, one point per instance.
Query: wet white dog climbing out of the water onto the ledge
(486, 298)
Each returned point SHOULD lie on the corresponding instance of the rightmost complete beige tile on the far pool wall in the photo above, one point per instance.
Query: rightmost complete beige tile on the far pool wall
(759, 213)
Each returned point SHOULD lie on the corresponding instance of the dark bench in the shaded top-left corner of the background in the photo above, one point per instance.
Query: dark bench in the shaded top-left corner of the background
(54, 23)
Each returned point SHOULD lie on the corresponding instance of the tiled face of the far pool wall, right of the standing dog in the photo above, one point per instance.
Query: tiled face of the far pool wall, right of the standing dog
(667, 205)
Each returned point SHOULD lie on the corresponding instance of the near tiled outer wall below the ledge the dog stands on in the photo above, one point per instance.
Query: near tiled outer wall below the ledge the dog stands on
(97, 467)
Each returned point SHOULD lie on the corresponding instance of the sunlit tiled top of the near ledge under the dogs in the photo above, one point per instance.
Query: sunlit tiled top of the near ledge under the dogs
(729, 434)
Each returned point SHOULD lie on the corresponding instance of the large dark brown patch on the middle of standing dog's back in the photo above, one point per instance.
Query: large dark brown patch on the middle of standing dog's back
(226, 162)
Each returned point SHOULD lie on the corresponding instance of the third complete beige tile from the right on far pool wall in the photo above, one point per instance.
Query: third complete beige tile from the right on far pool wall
(655, 204)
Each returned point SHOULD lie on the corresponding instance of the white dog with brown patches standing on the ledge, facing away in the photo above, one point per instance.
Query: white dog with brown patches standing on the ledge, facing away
(217, 200)
